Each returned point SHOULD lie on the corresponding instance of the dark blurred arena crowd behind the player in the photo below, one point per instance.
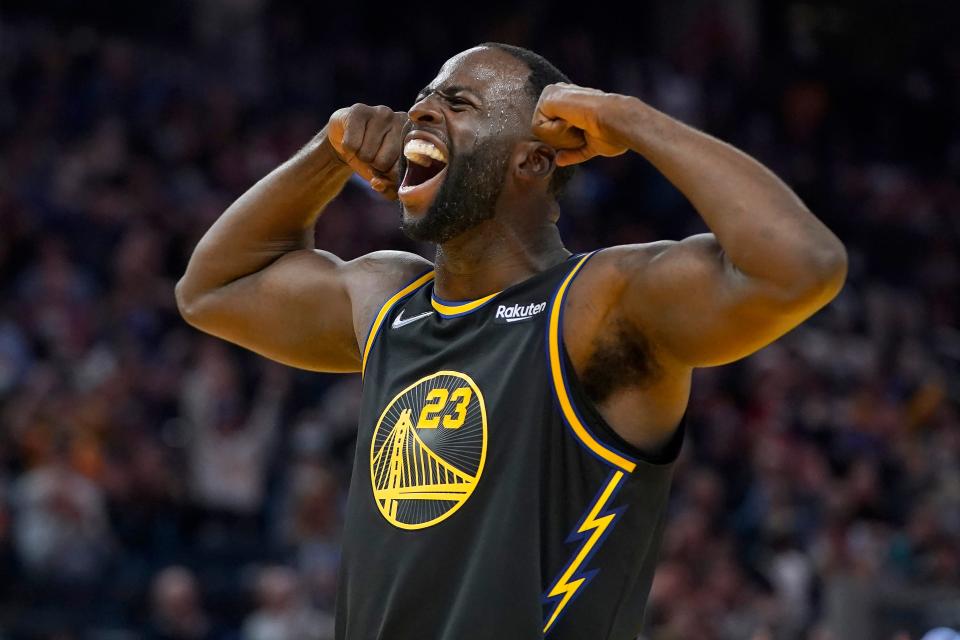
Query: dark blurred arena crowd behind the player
(156, 483)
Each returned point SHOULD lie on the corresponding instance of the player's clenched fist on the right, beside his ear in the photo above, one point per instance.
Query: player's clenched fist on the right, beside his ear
(574, 120)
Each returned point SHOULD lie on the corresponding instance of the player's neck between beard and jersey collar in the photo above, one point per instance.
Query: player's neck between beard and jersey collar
(494, 256)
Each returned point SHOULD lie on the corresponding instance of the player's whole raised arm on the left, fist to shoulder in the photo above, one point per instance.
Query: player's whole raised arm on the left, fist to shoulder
(255, 278)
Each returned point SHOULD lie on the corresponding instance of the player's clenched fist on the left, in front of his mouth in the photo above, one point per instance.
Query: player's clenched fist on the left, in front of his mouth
(370, 140)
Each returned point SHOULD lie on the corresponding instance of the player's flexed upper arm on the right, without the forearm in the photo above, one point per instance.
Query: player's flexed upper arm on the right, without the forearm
(701, 309)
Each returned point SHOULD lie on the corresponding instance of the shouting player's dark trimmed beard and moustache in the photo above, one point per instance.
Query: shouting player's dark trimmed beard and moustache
(467, 197)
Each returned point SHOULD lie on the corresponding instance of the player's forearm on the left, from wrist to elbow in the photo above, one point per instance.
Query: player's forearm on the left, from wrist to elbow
(275, 216)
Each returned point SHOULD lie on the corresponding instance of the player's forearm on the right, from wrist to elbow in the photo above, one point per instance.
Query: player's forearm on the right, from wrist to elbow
(764, 229)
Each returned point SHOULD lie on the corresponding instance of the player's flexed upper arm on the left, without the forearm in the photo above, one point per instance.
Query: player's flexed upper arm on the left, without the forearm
(296, 311)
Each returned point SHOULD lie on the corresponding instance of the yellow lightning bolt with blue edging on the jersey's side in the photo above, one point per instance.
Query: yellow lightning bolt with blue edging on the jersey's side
(593, 528)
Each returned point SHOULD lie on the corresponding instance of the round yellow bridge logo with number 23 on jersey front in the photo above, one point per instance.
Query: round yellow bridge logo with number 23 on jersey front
(428, 450)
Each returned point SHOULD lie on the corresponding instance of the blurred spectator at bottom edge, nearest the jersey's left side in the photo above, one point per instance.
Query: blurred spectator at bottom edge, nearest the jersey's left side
(283, 613)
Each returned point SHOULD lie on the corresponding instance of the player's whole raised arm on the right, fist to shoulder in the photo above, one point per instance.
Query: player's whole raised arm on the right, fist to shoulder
(768, 264)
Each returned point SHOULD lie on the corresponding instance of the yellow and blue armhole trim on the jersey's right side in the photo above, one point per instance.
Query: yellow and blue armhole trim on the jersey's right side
(558, 376)
